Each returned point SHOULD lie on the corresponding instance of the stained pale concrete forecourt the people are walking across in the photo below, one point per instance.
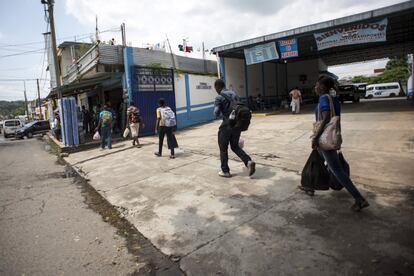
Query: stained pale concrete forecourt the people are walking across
(263, 225)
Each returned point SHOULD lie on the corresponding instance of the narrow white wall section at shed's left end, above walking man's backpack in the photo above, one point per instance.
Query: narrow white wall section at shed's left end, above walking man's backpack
(234, 74)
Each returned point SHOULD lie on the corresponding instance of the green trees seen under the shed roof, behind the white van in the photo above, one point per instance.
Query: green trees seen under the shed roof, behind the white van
(395, 70)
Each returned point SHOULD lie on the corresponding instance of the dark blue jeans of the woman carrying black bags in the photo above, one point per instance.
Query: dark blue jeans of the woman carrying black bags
(331, 157)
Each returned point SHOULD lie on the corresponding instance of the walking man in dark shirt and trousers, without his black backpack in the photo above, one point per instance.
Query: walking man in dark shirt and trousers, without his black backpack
(226, 134)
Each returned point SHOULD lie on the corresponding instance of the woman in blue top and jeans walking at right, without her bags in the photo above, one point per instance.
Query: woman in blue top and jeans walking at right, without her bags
(323, 115)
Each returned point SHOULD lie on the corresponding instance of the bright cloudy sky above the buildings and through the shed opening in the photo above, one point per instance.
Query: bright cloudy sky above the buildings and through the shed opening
(214, 22)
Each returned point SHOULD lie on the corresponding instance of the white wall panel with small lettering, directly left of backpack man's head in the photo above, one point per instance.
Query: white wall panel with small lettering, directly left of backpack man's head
(199, 94)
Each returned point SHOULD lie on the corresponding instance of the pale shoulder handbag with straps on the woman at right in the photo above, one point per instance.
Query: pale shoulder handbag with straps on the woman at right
(331, 138)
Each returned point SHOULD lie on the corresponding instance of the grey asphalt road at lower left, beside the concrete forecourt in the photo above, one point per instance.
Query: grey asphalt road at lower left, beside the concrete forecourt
(53, 224)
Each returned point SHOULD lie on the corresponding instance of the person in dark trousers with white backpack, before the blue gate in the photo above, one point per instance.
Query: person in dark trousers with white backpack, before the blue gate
(165, 125)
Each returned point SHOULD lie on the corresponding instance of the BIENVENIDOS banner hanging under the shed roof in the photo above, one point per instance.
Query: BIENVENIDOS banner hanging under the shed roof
(353, 34)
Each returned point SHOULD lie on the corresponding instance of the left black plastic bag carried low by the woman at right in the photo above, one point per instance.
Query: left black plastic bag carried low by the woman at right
(315, 175)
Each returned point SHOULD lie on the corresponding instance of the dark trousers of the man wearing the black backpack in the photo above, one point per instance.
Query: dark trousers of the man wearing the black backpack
(228, 136)
